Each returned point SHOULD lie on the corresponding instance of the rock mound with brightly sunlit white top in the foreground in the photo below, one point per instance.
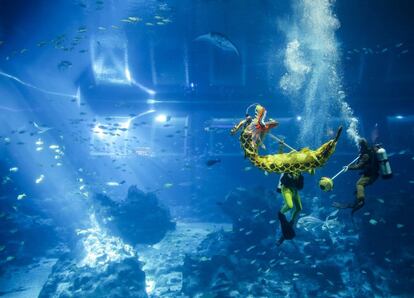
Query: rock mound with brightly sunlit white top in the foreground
(100, 266)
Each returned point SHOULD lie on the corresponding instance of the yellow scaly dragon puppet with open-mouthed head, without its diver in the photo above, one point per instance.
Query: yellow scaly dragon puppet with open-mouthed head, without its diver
(294, 162)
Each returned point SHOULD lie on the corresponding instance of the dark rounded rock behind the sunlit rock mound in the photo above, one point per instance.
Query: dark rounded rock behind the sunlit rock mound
(139, 219)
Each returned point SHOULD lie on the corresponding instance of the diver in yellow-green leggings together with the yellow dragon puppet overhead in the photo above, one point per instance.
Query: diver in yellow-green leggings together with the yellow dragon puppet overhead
(291, 165)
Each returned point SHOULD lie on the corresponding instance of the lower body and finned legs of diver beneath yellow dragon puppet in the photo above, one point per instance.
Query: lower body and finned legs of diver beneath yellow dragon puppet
(289, 186)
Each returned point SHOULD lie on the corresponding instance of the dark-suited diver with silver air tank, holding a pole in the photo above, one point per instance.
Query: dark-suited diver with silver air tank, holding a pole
(372, 162)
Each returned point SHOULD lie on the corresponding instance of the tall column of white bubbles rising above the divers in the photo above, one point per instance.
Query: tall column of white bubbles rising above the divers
(312, 79)
